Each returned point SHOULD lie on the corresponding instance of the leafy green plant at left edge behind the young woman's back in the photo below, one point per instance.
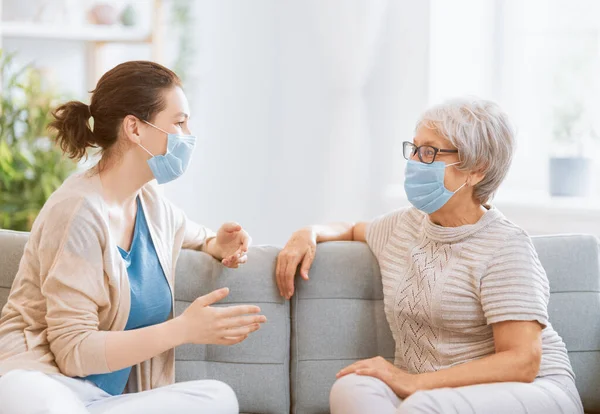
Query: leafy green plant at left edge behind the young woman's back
(31, 166)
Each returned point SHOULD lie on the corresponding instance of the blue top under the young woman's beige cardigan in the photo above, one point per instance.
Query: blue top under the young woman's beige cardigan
(151, 299)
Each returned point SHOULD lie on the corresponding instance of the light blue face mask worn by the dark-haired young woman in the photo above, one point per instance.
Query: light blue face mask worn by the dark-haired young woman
(173, 164)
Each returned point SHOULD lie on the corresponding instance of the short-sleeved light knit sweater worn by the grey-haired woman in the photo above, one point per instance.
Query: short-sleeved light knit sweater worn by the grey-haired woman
(444, 287)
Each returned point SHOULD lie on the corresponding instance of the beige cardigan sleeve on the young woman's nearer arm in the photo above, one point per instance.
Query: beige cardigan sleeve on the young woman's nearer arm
(75, 288)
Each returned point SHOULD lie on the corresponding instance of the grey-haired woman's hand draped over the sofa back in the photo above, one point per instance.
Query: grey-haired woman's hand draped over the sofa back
(301, 248)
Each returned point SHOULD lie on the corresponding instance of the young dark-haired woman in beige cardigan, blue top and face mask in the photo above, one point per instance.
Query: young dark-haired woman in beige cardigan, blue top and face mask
(90, 313)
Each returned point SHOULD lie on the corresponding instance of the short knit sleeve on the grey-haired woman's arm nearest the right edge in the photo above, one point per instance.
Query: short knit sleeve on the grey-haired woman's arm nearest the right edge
(515, 286)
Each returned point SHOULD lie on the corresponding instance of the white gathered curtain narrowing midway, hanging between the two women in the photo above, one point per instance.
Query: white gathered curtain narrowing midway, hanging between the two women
(349, 36)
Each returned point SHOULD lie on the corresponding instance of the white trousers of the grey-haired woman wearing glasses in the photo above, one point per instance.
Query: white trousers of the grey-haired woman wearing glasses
(354, 394)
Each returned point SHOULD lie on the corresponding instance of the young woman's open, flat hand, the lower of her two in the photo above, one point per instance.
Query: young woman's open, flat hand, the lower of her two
(202, 324)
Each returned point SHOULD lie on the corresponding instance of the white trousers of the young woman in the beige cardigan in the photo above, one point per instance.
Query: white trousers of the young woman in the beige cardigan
(32, 392)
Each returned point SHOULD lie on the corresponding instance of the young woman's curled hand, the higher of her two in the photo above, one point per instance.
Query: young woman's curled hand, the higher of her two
(230, 245)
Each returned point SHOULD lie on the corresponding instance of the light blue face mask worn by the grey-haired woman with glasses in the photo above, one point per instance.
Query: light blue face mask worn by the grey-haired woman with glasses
(424, 185)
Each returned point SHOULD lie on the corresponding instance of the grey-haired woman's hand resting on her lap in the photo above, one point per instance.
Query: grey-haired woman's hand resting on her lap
(402, 383)
